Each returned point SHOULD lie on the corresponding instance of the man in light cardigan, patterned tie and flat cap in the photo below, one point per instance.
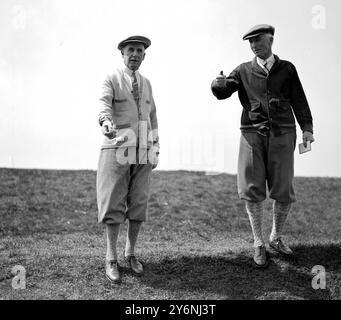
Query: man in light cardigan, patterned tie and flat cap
(128, 154)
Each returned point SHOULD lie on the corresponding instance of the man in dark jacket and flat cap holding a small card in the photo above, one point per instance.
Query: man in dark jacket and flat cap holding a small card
(272, 96)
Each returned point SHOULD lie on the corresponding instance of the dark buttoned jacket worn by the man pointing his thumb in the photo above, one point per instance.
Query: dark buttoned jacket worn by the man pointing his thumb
(269, 101)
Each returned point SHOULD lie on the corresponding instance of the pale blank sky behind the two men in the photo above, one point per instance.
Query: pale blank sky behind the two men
(54, 55)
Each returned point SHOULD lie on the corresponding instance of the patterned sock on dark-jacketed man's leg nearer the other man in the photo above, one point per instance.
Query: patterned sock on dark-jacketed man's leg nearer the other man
(255, 213)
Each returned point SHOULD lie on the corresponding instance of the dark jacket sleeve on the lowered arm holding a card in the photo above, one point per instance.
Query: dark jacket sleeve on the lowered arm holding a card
(299, 103)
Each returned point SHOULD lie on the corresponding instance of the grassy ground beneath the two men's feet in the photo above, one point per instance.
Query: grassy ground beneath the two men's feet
(197, 243)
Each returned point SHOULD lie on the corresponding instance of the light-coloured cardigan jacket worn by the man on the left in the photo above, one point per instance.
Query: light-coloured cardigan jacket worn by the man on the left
(135, 124)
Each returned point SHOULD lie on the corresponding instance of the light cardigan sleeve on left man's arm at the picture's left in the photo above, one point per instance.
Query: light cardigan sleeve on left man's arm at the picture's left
(105, 101)
